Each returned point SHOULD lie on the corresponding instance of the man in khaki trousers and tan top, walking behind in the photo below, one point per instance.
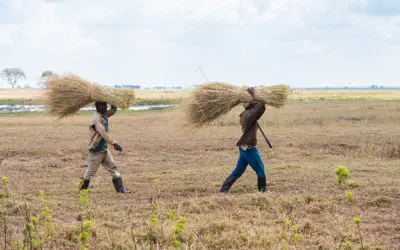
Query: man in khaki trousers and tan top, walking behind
(98, 148)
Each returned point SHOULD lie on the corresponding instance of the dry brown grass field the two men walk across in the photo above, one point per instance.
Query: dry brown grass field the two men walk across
(164, 161)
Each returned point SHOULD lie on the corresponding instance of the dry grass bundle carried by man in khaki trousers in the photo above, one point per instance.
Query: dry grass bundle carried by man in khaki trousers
(65, 95)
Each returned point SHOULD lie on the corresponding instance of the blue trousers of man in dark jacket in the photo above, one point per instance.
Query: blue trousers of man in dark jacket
(249, 157)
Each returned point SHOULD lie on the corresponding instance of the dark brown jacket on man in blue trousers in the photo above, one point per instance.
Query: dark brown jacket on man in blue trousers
(248, 120)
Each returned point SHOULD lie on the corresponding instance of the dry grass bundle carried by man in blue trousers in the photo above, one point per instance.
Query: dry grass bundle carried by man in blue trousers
(213, 100)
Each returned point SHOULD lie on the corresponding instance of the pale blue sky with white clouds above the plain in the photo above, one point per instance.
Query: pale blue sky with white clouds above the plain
(160, 42)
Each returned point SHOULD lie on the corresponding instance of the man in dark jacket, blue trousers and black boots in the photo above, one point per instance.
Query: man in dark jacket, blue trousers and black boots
(249, 154)
